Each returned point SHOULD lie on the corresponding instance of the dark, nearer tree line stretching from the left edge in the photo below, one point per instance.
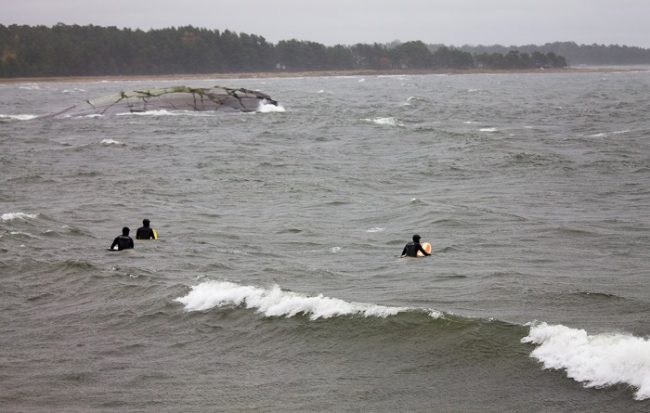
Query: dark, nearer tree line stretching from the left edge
(72, 50)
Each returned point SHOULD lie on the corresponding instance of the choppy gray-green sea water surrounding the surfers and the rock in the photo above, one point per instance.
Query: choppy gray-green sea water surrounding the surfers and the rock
(276, 283)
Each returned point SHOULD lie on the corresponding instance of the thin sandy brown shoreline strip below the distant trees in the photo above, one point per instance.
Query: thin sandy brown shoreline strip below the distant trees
(318, 73)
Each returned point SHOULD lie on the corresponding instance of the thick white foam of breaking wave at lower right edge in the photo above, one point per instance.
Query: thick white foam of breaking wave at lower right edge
(595, 360)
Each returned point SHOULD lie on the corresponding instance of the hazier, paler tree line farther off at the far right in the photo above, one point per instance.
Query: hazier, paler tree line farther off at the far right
(594, 54)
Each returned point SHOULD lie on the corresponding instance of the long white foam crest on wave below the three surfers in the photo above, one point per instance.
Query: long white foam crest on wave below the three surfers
(274, 302)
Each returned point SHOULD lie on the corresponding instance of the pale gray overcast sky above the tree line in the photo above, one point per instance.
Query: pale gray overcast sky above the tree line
(451, 22)
